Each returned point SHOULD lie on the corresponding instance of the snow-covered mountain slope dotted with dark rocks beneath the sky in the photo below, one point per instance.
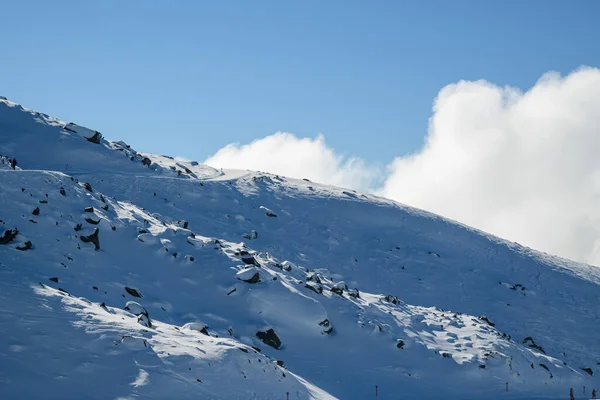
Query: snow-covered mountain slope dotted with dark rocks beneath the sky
(240, 285)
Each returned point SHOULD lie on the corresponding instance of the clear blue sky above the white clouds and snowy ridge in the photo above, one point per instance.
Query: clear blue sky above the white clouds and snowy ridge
(187, 77)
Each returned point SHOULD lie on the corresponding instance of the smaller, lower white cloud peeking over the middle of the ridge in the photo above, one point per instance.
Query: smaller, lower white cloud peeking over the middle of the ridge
(287, 155)
